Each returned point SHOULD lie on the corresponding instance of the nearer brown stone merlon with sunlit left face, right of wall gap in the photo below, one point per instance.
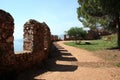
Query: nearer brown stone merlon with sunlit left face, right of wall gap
(33, 36)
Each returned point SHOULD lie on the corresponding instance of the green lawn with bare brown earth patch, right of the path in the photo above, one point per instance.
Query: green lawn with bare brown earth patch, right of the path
(102, 48)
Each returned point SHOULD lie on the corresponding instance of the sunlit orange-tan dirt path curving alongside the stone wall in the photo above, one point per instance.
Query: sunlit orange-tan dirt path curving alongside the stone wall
(77, 64)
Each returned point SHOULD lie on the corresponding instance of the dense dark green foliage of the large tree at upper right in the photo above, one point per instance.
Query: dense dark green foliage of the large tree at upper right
(94, 12)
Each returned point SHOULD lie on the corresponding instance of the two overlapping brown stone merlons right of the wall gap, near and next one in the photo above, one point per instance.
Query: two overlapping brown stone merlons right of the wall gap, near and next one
(34, 33)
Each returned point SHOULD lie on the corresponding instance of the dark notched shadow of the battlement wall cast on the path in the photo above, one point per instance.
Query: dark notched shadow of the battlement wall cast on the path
(57, 53)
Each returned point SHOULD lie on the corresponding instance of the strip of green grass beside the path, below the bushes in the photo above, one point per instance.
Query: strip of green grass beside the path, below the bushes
(96, 44)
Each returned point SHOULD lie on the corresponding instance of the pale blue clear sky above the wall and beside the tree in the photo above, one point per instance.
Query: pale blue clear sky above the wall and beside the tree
(59, 15)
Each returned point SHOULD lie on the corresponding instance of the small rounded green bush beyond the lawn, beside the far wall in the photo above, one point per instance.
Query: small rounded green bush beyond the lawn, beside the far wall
(76, 32)
